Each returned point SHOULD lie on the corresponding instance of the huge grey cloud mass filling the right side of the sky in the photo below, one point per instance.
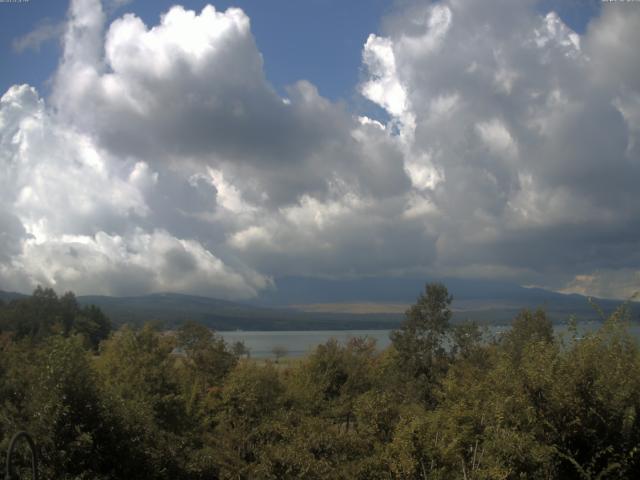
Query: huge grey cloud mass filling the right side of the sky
(533, 128)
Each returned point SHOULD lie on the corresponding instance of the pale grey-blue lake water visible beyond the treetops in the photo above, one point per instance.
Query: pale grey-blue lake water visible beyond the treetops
(299, 343)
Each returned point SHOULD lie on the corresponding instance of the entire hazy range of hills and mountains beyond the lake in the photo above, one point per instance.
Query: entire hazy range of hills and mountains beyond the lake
(300, 303)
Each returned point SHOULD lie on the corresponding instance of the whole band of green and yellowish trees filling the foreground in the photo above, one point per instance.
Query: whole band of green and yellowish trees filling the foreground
(444, 401)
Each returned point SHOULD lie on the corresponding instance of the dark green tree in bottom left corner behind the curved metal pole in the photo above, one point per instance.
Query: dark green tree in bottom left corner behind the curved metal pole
(49, 390)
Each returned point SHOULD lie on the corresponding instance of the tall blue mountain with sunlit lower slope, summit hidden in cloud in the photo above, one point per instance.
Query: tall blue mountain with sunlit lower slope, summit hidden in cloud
(485, 301)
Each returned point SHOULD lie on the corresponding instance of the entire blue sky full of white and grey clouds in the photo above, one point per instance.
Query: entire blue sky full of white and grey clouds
(215, 148)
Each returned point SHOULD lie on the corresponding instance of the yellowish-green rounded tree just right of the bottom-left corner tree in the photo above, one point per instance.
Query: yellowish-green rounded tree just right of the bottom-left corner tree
(138, 382)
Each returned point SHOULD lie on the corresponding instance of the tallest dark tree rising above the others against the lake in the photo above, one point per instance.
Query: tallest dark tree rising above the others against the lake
(419, 342)
